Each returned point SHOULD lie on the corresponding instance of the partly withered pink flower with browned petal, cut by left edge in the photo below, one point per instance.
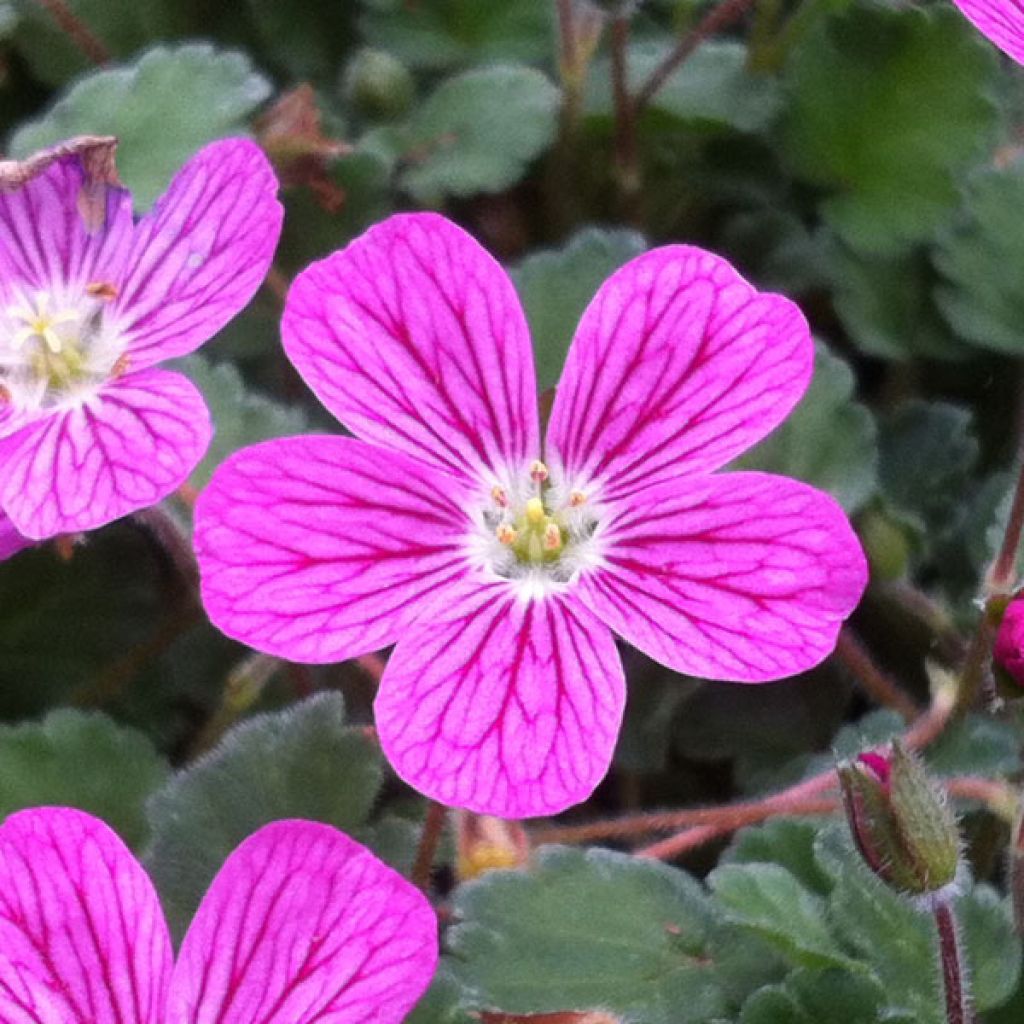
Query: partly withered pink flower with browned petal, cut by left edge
(90, 430)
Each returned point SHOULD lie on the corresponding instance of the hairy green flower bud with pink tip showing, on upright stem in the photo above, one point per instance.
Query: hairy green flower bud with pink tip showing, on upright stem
(902, 822)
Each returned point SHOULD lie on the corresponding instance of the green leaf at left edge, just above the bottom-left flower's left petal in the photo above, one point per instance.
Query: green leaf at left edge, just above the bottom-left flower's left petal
(83, 760)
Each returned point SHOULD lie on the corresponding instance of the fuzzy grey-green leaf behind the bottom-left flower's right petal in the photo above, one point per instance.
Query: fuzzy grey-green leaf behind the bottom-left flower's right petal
(301, 763)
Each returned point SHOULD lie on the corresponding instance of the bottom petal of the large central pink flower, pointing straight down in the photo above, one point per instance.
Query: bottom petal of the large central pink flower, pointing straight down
(503, 706)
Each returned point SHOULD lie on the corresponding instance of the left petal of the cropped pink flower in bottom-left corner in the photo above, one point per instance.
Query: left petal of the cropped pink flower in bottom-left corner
(79, 919)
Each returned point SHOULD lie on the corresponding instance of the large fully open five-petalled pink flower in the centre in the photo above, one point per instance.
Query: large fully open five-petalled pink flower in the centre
(501, 578)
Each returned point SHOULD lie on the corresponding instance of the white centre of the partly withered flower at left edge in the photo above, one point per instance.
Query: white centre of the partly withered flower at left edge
(57, 350)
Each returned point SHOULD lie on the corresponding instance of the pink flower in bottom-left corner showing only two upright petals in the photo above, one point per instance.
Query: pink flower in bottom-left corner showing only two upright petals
(301, 925)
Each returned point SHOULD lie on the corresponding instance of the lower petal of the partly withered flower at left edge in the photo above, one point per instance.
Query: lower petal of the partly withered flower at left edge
(129, 448)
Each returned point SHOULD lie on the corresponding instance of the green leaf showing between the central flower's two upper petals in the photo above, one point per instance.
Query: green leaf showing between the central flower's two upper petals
(557, 285)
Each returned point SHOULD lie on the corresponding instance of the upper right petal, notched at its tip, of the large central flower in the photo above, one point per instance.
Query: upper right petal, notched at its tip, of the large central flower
(678, 366)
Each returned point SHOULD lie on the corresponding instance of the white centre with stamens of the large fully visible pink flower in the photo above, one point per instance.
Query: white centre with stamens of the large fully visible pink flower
(538, 531)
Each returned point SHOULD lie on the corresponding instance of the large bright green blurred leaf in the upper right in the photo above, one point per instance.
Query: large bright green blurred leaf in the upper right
(888, 106)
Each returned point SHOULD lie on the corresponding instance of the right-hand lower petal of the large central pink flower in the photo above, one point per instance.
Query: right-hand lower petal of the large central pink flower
(740, 576)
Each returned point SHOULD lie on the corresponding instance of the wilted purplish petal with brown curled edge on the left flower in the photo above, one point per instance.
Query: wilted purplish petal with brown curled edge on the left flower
(46, 241)
